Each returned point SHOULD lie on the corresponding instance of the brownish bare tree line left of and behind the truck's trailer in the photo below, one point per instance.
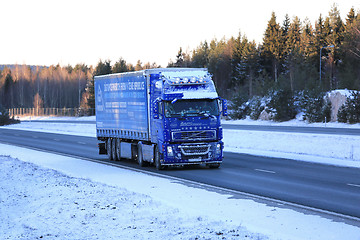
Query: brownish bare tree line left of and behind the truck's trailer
(23, 86)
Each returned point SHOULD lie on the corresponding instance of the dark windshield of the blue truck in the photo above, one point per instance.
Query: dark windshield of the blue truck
(194, 107)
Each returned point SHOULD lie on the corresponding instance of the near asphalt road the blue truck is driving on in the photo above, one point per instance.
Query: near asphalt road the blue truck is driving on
(335, 189)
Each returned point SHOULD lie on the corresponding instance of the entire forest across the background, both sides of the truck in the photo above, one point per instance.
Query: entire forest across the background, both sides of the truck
(294, 55)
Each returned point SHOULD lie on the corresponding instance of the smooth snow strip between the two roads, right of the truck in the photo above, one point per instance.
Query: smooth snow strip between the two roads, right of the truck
(340, 150)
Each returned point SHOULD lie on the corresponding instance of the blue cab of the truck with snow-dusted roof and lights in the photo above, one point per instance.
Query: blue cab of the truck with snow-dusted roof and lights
(186, 113)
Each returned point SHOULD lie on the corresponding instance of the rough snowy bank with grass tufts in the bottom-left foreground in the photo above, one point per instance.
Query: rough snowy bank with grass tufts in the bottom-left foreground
(39, 203)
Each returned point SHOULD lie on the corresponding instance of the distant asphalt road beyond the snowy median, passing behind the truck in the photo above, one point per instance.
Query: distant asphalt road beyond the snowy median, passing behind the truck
(288, 129)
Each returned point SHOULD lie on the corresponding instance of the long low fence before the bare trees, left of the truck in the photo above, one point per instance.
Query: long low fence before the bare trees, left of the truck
(69, 112)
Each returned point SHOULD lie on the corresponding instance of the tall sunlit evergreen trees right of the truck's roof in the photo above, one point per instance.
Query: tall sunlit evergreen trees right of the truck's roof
(288, 57)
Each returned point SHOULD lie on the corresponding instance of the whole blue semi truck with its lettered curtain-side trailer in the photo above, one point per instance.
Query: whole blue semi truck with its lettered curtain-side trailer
(163, 116)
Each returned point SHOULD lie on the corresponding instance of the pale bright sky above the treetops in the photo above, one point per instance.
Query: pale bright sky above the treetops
(41, 32)
